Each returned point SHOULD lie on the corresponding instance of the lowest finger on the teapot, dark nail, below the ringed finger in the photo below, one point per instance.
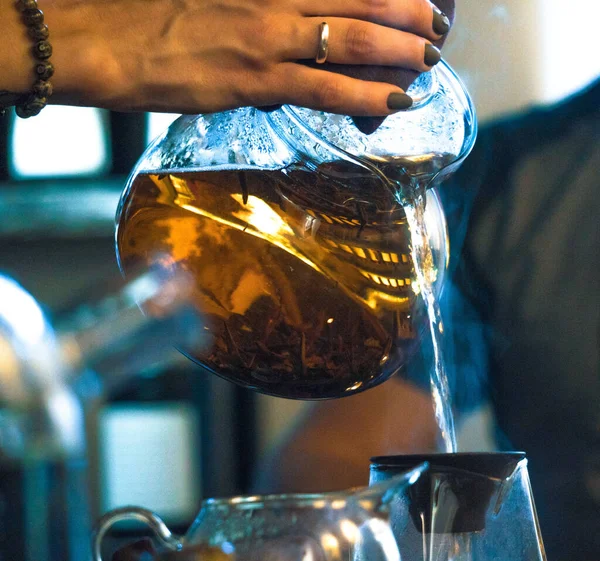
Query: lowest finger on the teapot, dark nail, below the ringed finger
(335, 93)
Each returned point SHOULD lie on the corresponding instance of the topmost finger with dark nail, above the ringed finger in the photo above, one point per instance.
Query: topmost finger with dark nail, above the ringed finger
(416, 16)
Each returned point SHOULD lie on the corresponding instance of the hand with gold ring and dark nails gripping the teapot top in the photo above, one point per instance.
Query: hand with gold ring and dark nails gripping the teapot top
(197, 56)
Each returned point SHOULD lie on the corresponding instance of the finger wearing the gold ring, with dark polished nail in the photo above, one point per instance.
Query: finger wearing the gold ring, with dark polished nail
(359, 42)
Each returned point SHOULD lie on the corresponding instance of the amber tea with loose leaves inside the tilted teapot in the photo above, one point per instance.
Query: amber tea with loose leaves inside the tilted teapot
(299, 296)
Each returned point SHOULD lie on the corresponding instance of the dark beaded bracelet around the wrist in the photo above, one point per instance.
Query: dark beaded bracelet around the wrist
(32, 103)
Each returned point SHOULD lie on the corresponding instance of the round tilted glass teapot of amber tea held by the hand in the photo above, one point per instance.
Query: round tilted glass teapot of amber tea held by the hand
(291, 224)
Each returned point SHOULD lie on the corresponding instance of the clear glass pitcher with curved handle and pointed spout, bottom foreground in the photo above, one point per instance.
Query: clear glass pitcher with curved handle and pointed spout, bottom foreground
(320, 527)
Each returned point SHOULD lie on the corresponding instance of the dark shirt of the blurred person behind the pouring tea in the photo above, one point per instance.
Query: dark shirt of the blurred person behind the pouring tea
(528, 261)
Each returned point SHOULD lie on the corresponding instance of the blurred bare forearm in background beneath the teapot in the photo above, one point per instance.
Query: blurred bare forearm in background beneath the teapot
(332, 444)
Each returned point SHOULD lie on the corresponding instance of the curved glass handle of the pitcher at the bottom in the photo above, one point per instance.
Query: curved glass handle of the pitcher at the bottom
(164, 535)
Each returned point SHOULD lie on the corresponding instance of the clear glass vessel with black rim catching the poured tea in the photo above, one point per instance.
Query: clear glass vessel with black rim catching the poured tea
(467, 507)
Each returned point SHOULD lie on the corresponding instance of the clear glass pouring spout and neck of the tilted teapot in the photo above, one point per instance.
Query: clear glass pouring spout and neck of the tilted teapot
(416, 148)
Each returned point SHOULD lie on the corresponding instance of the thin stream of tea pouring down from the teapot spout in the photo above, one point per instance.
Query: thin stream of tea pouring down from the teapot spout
(426, 274)
